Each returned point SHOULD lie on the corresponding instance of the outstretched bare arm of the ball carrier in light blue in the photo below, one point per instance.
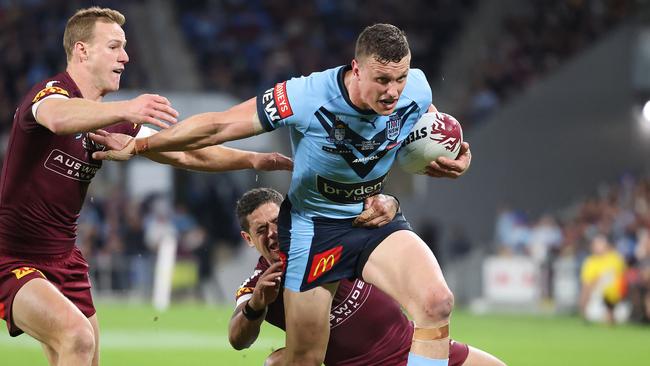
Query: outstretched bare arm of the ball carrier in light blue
(195, 132)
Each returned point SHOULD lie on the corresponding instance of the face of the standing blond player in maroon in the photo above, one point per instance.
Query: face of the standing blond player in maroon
(107, 56)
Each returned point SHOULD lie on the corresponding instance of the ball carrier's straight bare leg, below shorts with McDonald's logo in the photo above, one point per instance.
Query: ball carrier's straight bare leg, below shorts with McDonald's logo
(308, 328)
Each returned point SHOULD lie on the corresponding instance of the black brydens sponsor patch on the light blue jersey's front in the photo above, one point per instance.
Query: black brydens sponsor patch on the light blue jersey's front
(349, 192)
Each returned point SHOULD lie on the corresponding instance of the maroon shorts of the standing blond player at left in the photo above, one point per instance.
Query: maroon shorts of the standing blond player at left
(69, 274)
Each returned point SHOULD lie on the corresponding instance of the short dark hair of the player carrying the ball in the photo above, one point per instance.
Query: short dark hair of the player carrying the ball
(385, 42)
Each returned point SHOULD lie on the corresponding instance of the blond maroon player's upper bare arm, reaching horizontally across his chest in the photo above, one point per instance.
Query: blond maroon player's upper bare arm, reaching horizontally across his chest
(65, 116)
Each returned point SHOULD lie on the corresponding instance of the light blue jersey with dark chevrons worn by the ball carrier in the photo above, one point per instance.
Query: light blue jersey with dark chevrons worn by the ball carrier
(342, 154)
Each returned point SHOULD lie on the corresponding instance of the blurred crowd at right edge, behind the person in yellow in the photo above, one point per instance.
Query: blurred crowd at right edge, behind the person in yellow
(620, 212)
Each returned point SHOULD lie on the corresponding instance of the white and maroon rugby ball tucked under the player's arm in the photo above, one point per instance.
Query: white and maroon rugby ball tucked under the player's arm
(434, 135)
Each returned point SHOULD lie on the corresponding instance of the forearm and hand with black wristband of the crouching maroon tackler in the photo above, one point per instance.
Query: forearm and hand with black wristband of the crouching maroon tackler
(244, 326)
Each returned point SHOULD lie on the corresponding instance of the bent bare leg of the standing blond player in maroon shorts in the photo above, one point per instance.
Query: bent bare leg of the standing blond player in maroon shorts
(41, 311)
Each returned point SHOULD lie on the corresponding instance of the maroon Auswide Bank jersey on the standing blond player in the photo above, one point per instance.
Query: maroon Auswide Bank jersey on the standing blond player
(45, 177)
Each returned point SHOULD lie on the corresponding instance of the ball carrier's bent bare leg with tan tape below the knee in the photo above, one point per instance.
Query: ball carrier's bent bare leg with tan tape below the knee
(404, 267)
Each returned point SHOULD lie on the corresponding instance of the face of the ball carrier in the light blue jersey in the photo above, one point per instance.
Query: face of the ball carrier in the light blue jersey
(381, 85)
